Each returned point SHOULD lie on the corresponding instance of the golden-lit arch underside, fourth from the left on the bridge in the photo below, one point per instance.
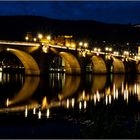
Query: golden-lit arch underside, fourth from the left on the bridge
(117, 66)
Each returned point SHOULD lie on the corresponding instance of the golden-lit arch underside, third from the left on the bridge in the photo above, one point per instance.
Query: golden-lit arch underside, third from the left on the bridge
(99, 65)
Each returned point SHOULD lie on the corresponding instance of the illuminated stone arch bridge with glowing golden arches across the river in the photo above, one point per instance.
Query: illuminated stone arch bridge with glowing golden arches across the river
(36, 58)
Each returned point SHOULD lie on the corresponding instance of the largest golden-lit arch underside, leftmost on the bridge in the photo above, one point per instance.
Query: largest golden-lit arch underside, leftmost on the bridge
(30, 65)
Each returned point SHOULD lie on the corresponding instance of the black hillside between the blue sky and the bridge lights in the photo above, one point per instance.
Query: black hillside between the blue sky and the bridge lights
(15, 28)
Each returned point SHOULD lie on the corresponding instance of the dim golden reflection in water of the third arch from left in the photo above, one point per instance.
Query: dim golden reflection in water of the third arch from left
(98, 82)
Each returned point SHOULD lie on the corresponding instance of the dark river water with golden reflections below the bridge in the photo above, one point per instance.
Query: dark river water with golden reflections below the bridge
(64, 106)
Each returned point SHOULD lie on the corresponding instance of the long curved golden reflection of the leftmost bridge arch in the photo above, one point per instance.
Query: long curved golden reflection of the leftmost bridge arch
(27, 90)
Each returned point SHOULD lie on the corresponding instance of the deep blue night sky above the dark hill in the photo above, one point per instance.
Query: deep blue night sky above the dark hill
(105, 11)
